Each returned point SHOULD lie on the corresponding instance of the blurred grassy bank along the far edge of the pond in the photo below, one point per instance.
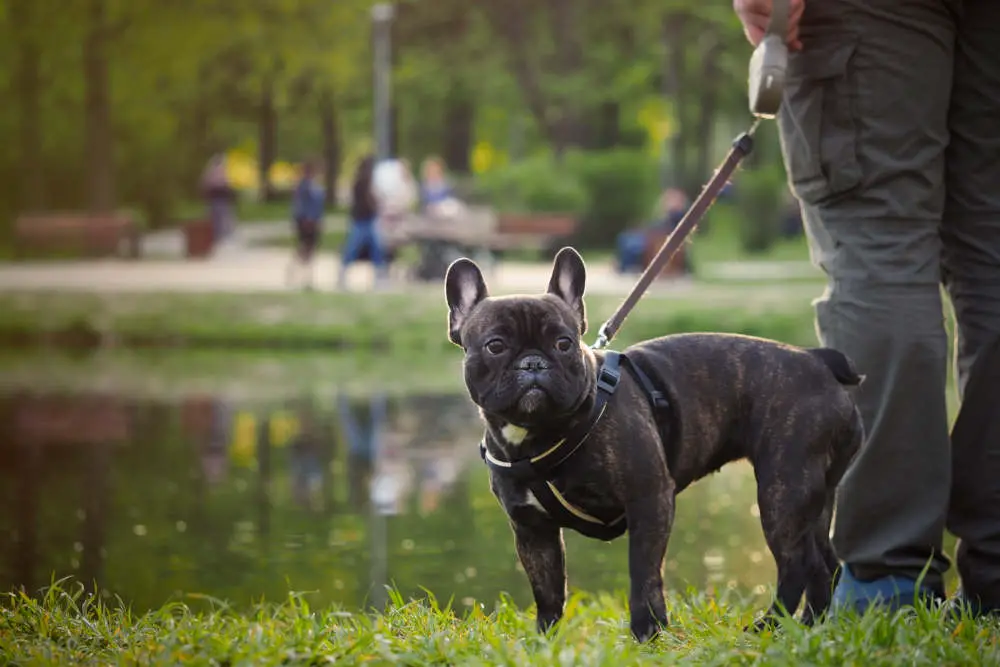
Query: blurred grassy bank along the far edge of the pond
(413, 321)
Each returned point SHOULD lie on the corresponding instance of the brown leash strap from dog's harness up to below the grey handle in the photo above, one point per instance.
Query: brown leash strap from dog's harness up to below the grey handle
(742, 146)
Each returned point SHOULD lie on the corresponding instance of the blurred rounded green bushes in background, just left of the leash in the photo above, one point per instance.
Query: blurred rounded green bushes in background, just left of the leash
(608, 191)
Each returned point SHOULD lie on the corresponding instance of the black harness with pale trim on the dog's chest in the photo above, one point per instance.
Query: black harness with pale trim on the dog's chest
(538, 471)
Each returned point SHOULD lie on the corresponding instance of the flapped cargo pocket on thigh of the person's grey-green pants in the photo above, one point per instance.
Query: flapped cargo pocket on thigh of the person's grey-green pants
(817, 122)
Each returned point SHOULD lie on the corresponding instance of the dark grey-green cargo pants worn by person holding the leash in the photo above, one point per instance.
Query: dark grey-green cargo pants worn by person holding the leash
(890, 131)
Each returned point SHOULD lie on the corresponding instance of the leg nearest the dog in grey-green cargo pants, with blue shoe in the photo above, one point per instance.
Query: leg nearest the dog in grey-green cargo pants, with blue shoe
(864, 130)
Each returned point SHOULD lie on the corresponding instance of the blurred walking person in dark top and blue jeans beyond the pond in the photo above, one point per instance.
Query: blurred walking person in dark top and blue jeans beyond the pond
(362, 236)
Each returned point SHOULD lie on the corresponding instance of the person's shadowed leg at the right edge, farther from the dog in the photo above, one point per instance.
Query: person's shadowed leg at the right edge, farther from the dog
(971, 265)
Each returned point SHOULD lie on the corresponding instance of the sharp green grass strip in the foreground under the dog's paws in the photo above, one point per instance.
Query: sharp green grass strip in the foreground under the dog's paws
(65, 626)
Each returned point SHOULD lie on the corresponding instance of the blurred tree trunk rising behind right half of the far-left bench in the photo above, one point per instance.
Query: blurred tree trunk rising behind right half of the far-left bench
(97, 111)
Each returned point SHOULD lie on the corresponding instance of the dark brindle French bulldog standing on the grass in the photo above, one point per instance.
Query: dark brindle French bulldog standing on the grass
(720, 398)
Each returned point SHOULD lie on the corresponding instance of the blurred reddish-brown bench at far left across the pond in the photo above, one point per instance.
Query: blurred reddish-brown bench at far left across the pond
(82, 234)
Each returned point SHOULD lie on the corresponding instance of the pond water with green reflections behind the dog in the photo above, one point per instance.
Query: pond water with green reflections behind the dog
(205, 496)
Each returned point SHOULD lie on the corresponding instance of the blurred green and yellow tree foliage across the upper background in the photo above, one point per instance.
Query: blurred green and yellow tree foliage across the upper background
(120, 102)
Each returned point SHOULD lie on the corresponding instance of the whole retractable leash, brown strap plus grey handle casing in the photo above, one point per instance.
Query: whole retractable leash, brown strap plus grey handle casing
(766, 83)
